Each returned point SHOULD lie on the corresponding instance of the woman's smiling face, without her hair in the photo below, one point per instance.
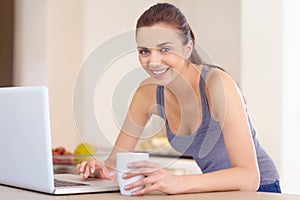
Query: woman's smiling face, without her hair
(161, 52)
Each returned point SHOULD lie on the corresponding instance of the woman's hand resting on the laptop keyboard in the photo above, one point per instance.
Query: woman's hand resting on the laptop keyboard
(95, 169)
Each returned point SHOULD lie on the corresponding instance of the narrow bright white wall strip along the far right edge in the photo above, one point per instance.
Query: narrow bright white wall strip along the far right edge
(291, 97)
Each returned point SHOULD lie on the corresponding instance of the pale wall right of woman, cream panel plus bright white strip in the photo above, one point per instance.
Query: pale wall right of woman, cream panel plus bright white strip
(270, 48)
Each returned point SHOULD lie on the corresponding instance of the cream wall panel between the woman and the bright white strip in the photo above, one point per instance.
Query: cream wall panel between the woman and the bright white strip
(261, 68)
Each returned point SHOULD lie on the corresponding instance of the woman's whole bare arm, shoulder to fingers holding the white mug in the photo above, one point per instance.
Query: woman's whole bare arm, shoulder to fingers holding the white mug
(226, 106)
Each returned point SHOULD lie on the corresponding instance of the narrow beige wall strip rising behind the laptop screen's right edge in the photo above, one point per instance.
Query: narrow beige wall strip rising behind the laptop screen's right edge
(65, 54)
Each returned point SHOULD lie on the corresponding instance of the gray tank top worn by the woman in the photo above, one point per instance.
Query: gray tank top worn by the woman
(206, 144)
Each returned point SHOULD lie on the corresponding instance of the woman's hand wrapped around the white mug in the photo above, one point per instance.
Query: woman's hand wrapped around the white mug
(157, 179)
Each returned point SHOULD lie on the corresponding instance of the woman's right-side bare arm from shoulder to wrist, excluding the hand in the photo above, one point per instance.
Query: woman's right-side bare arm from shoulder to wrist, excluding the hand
(227, 106)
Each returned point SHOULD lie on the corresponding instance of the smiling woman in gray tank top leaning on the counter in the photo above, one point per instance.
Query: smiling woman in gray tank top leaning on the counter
(204, 111)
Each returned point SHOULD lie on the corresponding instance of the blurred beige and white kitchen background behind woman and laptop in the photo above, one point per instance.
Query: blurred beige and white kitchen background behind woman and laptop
(46, 42)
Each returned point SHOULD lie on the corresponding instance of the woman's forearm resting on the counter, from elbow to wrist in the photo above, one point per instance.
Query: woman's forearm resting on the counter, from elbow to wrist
(235, 178)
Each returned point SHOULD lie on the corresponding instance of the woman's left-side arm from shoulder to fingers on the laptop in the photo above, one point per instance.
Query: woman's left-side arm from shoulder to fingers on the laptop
(136, 119)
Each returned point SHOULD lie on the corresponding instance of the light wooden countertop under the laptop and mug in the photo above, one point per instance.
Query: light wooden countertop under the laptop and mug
(9, 193)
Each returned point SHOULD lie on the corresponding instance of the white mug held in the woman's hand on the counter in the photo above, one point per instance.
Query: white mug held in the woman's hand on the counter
(123, 159)
